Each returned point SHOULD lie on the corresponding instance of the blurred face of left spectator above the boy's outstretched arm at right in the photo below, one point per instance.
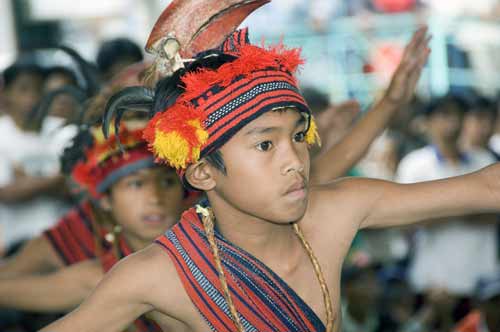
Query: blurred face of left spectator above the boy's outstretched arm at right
(446, 123)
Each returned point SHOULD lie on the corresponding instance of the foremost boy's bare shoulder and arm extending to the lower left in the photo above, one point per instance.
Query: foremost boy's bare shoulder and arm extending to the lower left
(133, 287)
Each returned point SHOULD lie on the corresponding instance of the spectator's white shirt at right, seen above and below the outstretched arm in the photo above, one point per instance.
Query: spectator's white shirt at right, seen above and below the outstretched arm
(451, 255)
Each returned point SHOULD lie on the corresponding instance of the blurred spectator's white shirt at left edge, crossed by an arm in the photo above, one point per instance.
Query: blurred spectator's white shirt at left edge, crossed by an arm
(36, 155)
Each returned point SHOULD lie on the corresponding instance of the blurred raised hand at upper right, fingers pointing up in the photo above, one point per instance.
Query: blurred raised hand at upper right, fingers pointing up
(405, 78)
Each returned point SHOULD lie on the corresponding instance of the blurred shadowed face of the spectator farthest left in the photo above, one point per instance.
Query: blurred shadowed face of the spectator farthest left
(23, 93)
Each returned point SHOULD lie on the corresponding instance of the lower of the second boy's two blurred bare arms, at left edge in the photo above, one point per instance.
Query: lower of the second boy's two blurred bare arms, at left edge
(55, 292)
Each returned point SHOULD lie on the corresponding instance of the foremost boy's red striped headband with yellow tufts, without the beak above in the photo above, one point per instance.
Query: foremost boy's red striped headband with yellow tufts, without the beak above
(217, 103)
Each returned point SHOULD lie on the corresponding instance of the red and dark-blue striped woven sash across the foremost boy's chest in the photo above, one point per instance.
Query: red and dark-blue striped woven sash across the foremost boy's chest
(263, 300)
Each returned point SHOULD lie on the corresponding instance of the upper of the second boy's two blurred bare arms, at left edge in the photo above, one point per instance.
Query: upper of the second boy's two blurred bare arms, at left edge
(36, 256)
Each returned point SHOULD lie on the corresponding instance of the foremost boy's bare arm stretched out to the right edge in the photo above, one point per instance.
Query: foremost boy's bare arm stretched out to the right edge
(382, 204)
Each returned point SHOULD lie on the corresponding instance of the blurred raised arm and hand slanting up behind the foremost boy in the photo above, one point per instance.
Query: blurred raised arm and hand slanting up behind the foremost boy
(345, 154)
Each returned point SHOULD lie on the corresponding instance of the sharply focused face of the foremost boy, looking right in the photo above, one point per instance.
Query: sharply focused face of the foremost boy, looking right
(267, 165)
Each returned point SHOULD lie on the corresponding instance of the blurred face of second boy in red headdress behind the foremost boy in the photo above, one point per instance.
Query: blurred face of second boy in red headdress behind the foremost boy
(147, 202)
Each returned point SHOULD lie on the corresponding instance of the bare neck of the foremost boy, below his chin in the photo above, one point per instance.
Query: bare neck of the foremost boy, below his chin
(269, 242)
